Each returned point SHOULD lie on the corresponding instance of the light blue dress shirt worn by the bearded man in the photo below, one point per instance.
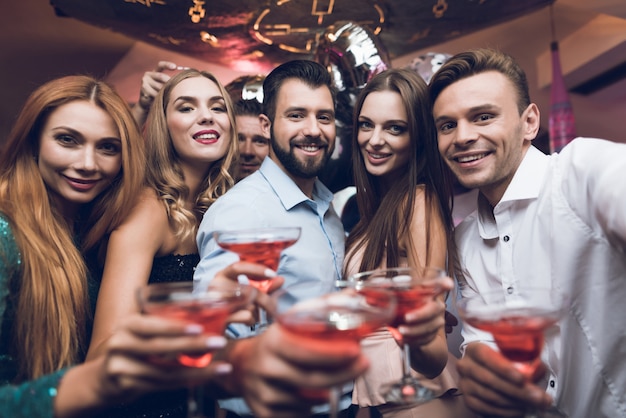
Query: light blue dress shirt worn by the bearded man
(269, 198)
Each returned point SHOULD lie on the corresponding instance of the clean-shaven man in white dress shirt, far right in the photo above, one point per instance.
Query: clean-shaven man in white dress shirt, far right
(555, 220)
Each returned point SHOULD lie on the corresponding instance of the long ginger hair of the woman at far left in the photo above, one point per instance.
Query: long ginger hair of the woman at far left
(52, 304)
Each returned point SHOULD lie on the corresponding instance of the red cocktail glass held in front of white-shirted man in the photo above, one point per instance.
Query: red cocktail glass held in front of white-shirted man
(517, 323)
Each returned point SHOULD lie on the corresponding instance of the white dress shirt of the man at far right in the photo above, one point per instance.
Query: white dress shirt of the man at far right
(562, 222)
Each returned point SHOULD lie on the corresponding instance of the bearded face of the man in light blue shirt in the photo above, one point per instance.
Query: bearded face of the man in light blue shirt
(303, 132)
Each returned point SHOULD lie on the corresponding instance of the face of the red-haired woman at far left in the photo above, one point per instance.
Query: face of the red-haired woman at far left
(80, 153)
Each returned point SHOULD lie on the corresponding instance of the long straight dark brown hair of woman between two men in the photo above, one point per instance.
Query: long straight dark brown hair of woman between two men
(387, 212)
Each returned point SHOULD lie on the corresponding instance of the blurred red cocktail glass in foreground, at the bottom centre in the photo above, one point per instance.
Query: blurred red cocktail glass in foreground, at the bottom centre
(338, 318)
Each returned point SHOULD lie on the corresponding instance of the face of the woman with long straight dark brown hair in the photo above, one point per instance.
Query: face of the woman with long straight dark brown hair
(383, 134)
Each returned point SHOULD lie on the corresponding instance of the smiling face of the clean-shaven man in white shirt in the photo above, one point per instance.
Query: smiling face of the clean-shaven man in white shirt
(482, 136)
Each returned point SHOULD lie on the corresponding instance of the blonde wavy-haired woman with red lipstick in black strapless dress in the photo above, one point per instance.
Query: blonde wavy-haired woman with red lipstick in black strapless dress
(192, 145)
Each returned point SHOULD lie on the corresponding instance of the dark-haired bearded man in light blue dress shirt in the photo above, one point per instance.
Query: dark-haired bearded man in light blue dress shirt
(299, 117)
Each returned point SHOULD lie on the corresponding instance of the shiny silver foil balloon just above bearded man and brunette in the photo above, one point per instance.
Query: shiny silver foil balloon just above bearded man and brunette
(352, 54)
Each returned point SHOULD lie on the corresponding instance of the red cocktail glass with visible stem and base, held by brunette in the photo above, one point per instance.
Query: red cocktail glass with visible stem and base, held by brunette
(413, 288)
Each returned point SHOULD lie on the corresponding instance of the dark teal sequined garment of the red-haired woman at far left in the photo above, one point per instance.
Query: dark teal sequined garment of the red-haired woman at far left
(32, 399)
